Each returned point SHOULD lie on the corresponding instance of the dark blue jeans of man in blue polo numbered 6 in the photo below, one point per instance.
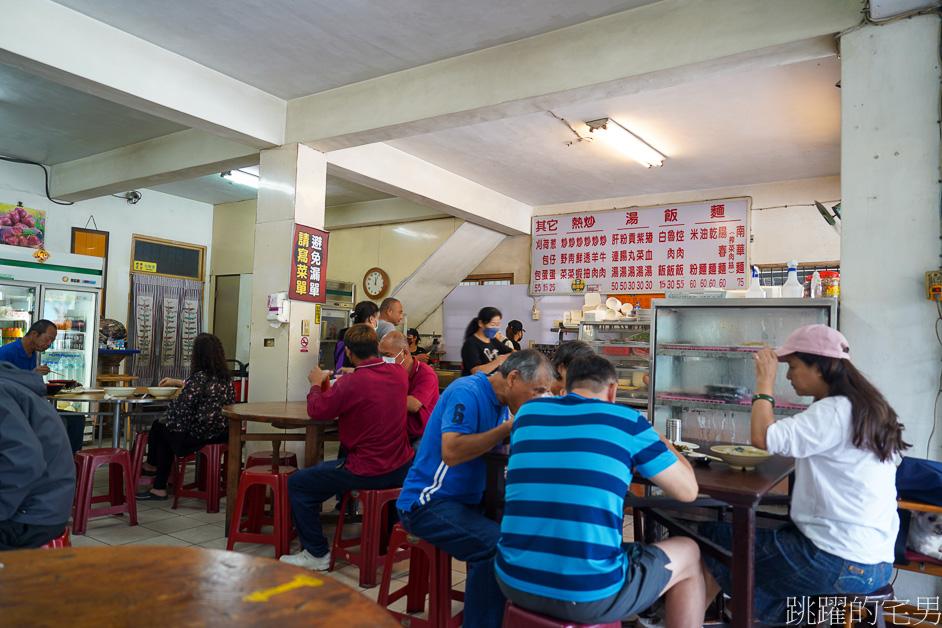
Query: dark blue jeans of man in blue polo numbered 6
(465, 533)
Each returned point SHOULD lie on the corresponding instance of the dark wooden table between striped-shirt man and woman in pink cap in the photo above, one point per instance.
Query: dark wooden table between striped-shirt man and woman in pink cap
(742, 490)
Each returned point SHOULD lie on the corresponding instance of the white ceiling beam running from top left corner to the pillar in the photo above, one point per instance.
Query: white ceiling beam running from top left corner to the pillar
(62, 45)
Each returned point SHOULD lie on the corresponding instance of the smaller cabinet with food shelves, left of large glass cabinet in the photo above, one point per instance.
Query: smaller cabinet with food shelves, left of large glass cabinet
(627, 345)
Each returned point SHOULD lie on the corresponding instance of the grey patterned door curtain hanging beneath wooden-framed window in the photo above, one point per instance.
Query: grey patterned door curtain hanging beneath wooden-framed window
(166, 315)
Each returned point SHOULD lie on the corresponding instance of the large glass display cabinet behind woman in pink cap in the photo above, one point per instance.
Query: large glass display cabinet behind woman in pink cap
(703, 372)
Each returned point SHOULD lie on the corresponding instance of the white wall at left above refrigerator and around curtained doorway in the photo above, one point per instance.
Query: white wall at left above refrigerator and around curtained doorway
(156, 215)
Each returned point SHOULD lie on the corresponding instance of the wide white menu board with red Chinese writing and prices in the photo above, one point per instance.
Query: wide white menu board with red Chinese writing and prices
(691, 246)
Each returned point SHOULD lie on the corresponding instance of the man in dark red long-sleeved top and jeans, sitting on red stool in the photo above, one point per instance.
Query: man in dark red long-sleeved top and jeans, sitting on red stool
(369, 405)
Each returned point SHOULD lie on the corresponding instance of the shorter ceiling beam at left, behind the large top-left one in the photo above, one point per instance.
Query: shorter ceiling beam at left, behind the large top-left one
(174, 157)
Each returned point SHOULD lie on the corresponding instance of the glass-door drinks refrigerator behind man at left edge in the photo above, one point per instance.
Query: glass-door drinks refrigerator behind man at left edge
(66, 290)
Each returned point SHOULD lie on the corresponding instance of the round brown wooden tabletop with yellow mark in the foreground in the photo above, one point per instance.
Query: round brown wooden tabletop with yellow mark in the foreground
(172, 586)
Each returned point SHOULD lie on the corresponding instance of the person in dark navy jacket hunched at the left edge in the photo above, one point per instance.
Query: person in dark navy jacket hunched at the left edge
(37, 474)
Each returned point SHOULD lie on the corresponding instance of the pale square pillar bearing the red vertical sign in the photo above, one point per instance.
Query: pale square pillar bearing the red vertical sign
(292, 190)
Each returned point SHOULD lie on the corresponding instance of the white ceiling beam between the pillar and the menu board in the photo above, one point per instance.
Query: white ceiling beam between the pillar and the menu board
(384, 168)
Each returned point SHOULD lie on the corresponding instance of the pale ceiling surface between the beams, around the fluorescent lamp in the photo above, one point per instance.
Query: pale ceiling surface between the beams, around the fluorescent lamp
(769, 125)
